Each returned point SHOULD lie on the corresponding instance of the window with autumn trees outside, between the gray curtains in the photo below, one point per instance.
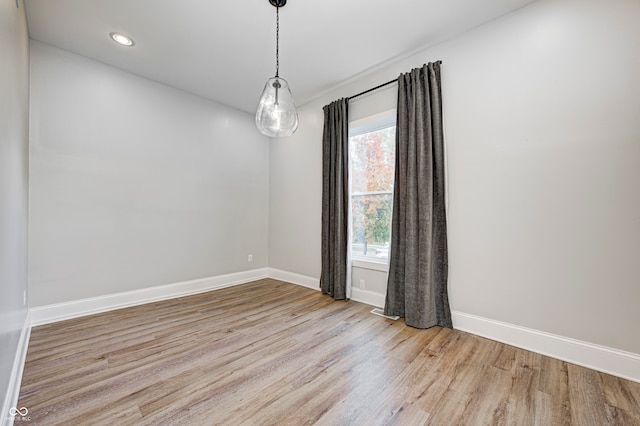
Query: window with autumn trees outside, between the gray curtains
(372, 160)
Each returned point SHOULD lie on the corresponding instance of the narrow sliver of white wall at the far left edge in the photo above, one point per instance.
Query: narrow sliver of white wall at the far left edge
(14, 149)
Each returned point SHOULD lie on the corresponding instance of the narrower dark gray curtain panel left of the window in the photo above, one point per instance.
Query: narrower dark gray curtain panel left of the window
(335, 199)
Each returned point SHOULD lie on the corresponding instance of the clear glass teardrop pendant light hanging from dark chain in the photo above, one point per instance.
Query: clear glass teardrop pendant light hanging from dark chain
(276, 115)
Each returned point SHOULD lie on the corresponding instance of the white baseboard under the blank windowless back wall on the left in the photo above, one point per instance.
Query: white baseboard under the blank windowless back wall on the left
(77, 308)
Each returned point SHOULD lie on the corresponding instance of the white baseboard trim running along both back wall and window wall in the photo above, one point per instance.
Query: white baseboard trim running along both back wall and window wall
(608, 360)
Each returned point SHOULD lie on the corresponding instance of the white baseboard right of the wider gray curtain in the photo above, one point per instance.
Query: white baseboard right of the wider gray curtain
(607, 360)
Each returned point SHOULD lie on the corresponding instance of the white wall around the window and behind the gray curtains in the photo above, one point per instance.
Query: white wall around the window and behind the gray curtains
(542, 122)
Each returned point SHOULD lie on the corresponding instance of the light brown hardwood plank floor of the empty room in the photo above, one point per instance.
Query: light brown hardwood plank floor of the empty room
(270, 352)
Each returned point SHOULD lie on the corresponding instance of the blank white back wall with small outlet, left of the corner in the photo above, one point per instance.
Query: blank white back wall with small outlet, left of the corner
(135, 184)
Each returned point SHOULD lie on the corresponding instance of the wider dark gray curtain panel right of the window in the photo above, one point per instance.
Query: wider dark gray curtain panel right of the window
(417, 284)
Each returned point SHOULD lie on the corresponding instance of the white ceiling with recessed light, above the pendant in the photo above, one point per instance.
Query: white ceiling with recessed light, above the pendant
(225, 50)
